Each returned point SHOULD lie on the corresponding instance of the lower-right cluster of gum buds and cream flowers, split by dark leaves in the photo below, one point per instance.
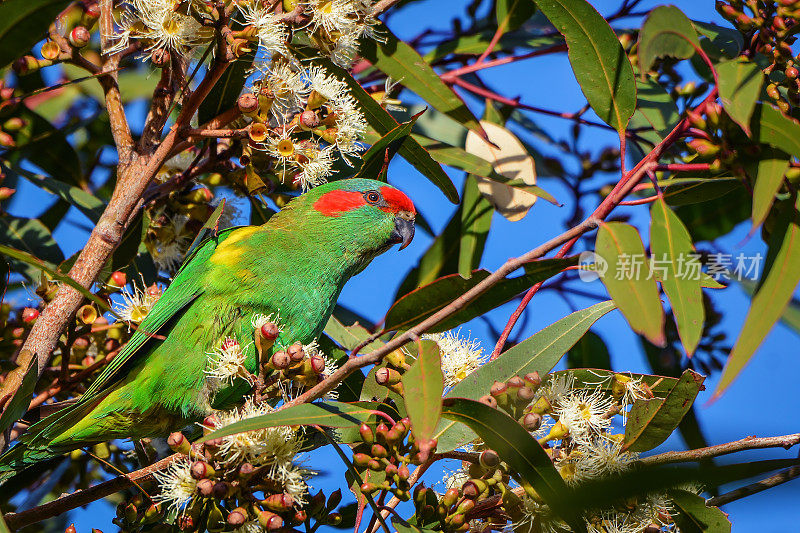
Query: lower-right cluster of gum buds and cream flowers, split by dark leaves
(575, 426)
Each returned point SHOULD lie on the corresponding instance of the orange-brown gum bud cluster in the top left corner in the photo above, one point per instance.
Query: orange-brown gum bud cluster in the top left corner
(70, 32)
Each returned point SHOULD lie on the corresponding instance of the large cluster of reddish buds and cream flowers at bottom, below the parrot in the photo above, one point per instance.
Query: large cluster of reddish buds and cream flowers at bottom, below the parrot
(249, 481)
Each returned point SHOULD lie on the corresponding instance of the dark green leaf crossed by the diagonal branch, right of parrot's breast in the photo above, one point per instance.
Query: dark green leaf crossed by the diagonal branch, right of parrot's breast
(427, 300)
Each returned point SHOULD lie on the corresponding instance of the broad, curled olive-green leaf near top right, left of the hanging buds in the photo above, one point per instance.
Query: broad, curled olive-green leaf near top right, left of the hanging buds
(666, 32)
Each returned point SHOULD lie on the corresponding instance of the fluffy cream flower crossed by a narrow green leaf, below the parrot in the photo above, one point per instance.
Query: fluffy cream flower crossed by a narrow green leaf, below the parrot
(266, 446)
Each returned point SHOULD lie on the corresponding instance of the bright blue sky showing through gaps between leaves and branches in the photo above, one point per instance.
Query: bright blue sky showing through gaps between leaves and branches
(761, 402)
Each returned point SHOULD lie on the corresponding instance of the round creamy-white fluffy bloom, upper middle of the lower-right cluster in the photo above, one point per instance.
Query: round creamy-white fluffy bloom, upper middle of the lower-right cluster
(583, 413)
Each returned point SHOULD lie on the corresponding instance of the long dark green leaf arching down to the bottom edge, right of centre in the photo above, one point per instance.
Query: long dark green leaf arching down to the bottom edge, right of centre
(519, 449)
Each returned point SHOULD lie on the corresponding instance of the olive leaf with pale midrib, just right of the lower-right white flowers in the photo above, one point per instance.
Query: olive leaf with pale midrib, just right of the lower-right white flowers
(651, 421)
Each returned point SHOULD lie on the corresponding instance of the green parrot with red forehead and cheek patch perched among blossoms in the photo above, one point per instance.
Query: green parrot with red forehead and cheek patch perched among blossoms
(293, 266)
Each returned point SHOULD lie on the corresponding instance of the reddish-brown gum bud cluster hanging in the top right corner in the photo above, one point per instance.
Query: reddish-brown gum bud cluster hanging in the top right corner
(770, 27)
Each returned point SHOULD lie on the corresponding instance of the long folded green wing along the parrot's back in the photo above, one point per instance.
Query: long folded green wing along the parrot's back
(184, 289)
